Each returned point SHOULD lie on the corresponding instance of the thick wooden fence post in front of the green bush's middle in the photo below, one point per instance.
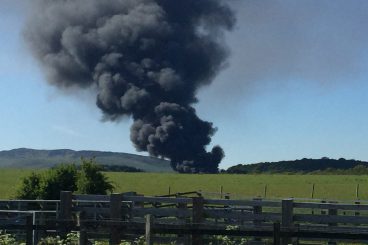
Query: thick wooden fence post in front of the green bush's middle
(65, 214)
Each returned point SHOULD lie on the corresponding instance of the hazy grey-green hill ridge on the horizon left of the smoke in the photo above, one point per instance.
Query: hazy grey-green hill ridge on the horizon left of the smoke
(30, 158)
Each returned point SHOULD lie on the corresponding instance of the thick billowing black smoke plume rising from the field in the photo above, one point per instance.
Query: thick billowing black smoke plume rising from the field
(145, 59)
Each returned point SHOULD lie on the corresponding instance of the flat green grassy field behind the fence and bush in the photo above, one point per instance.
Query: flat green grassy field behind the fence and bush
(337, 187)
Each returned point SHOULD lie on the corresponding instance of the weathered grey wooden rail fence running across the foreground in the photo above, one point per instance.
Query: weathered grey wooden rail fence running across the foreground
(186, 220)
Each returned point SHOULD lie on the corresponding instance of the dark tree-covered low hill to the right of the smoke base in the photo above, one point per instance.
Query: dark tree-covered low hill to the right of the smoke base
(304, 165)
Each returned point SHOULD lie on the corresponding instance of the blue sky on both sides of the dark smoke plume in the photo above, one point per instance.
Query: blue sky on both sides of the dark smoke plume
(296, 86)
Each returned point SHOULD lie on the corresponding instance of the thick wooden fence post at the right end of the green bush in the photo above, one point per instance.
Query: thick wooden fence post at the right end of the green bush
(115, 215)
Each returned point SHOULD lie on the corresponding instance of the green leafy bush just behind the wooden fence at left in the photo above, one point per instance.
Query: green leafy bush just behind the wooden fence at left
(65, 177)
